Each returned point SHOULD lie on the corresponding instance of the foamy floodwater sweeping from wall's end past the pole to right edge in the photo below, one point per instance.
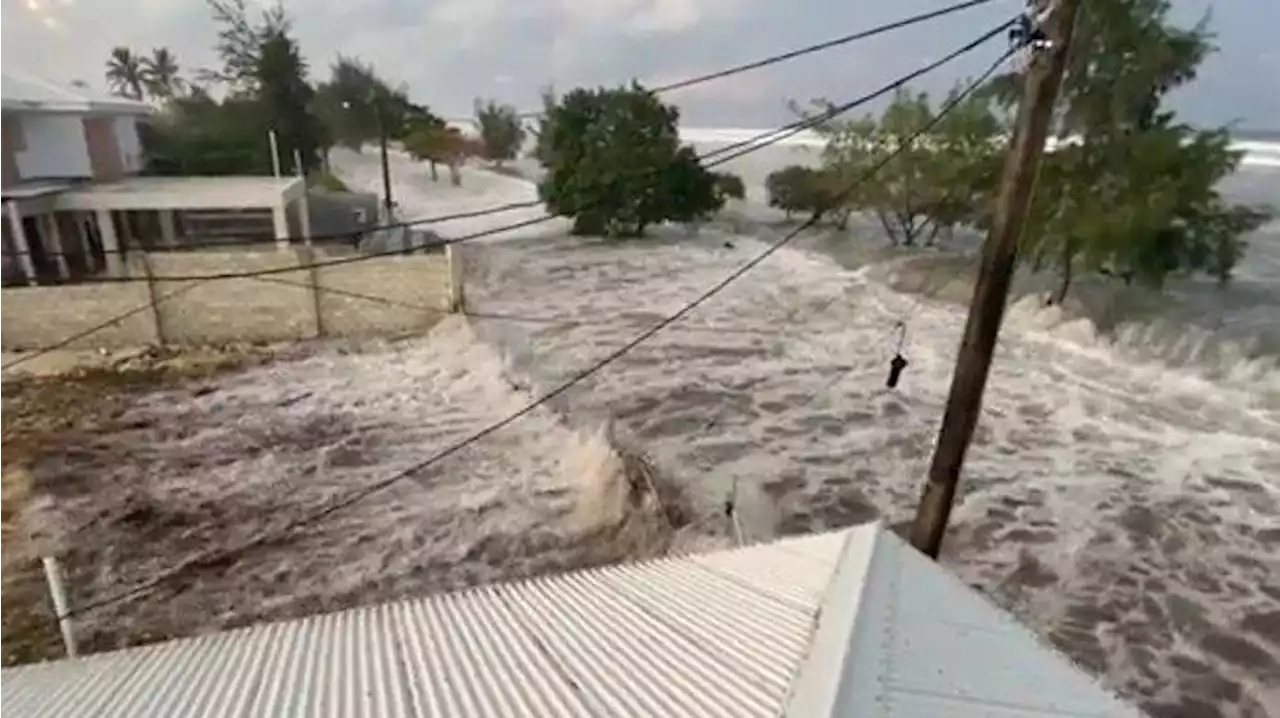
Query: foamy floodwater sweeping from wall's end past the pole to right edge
(1127, 510)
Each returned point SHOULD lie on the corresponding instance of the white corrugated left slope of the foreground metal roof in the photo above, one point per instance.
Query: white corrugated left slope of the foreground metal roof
(715, 635)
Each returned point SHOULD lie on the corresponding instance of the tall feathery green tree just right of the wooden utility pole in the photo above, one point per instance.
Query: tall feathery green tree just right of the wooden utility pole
(1136, 199)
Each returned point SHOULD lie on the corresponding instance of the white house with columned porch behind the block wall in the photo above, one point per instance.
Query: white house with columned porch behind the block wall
(71, 198)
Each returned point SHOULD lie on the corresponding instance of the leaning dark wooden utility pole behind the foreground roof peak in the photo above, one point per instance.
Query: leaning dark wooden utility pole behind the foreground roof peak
(999, 257)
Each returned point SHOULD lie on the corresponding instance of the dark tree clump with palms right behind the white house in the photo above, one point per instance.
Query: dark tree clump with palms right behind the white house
(268, 90)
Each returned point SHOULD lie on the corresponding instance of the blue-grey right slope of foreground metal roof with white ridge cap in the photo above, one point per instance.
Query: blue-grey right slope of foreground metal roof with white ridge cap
(900, 637)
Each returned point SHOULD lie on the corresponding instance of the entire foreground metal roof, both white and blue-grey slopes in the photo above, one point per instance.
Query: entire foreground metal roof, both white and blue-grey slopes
(810, 628)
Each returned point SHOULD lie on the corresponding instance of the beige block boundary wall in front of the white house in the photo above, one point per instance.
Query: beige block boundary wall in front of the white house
(410, 295)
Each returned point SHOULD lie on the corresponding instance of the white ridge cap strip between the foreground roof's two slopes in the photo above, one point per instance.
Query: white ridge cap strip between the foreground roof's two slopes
(824, 671)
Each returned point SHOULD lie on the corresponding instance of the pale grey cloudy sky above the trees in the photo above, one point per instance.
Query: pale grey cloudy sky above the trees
(450, 52)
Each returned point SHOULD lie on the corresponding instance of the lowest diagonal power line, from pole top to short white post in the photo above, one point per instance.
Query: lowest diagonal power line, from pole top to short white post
(360, 495)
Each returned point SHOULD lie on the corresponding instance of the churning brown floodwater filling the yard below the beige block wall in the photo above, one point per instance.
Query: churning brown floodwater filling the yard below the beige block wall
(207, 469)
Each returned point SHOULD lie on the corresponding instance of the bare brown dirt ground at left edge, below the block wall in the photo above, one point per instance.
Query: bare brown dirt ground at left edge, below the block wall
(47, 404)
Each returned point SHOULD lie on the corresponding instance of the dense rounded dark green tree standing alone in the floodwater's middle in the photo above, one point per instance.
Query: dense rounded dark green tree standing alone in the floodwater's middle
(615, 164)
